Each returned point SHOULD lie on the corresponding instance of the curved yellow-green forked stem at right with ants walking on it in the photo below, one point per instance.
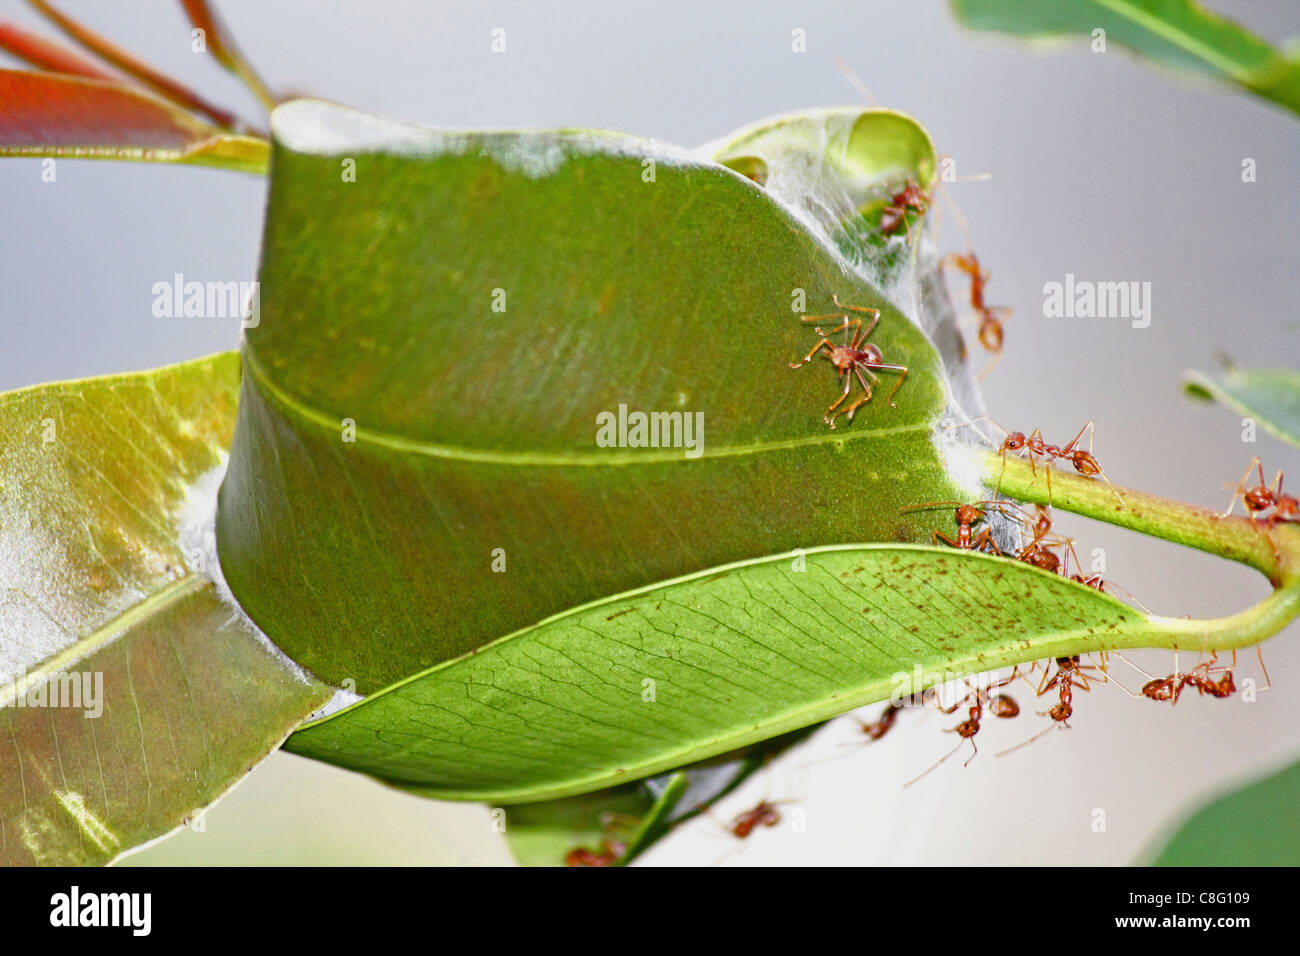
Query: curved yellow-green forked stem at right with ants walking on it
(1275, 553)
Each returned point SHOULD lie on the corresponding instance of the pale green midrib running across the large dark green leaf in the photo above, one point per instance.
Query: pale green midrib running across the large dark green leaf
(610, 457)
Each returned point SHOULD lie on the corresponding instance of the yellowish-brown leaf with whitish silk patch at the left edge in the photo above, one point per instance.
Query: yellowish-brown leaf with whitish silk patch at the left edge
(98, 596)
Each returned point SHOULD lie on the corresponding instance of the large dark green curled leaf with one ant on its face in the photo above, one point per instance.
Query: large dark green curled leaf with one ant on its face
(476, 430)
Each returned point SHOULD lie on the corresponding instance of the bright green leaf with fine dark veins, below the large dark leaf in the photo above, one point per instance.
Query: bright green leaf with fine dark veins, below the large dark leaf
(736, 655)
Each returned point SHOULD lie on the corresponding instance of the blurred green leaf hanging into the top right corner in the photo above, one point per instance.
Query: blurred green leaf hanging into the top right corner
(1181, 34)
